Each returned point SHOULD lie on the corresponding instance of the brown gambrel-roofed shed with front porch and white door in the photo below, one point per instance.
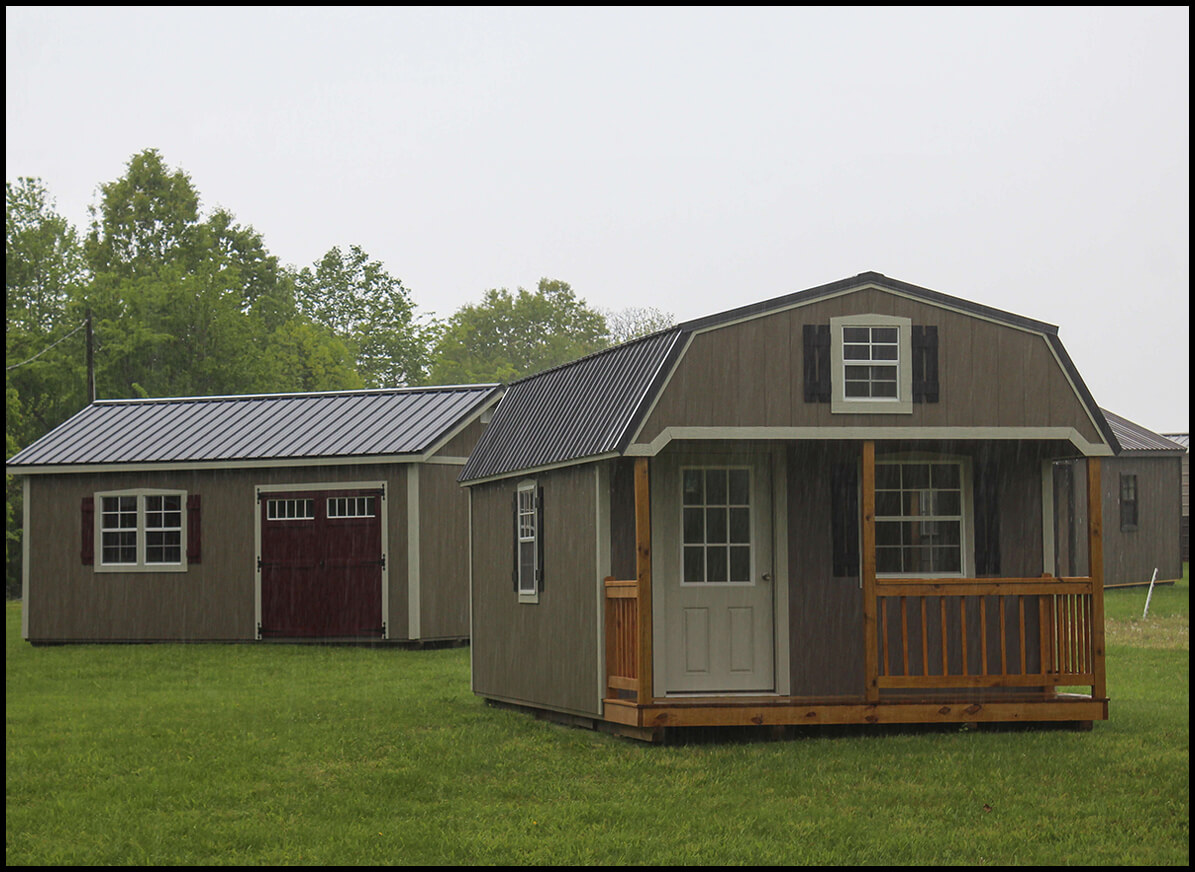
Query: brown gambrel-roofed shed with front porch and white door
(825, 508)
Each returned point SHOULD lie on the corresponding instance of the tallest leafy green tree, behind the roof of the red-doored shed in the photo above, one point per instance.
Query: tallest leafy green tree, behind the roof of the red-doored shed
(193, 305)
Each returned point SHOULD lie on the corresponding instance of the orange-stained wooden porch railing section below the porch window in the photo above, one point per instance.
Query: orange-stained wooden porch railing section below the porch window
(973, 632)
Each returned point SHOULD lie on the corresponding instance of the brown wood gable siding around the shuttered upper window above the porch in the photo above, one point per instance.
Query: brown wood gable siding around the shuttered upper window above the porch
(751, 374)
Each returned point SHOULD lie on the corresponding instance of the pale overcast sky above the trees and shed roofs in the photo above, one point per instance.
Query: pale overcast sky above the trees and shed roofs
(695, 161)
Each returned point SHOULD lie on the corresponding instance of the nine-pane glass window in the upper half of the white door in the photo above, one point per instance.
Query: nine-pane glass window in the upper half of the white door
(716, 525)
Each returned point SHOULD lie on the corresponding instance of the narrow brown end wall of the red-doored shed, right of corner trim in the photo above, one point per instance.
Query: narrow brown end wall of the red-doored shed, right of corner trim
(444, 554)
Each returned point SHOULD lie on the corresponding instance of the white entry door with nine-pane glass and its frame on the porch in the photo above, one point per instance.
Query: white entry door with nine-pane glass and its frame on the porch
(713, 564)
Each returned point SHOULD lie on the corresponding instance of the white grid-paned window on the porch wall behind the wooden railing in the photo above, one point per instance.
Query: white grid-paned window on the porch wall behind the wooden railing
(920, 518)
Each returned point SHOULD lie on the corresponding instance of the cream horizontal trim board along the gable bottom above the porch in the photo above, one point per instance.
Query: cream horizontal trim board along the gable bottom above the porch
(1090, 450)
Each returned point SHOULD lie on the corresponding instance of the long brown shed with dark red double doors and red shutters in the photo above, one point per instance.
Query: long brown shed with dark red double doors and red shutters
(328, 517)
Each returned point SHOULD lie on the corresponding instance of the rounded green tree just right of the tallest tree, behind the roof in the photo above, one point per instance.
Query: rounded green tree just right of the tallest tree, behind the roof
(357, 299)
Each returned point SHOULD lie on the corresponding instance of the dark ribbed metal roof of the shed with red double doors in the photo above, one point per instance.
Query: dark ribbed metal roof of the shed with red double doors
(265, 427)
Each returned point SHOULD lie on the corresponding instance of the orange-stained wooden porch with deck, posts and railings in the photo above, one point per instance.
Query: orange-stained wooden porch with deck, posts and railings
(936, 650)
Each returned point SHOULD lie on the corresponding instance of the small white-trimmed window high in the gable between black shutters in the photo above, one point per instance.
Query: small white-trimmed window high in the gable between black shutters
(872, 363)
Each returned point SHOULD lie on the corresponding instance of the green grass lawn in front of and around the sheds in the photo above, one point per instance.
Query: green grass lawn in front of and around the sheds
(273, 754)
